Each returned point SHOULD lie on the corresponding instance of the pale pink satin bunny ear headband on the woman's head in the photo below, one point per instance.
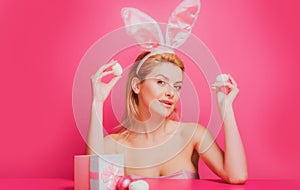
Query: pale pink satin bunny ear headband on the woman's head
(147, 33)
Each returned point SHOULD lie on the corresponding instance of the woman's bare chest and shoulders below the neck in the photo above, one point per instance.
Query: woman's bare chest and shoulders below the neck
(158, 154)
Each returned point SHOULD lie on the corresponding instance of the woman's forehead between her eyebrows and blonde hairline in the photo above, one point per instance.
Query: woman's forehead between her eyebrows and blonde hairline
(168, 70)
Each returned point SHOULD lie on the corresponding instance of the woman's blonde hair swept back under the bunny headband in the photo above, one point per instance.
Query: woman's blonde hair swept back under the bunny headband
(132, 100)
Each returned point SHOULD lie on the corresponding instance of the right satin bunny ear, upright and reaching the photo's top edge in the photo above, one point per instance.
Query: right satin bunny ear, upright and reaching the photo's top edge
(181, 22)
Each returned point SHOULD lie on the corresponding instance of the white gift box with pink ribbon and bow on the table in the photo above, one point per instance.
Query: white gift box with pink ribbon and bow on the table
(105, 171)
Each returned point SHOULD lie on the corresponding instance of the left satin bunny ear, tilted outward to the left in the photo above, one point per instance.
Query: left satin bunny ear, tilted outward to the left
(142, 28)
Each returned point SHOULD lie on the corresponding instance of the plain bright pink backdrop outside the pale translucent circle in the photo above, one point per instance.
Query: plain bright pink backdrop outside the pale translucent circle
(42, 43)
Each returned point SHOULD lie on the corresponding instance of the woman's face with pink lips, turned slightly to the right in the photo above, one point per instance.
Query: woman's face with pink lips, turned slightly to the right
(160, 91)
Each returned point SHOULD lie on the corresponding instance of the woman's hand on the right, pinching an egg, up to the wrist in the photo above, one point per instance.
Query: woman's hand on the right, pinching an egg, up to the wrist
(227, 91)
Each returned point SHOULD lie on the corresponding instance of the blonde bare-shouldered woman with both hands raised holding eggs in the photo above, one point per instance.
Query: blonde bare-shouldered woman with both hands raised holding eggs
(154, 144)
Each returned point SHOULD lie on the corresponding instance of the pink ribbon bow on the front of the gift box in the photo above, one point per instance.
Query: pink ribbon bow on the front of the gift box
(110, 176)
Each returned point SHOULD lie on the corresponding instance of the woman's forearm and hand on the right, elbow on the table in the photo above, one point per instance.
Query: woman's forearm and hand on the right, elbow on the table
(235, 164)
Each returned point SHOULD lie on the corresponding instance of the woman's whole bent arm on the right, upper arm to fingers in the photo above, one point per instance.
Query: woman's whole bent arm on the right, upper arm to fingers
(230, 164)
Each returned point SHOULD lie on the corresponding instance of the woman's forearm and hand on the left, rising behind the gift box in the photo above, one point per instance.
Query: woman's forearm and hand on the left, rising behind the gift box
(101, 91)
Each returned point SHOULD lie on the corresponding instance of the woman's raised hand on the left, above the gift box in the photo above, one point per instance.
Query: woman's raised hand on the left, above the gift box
(101, 90)
